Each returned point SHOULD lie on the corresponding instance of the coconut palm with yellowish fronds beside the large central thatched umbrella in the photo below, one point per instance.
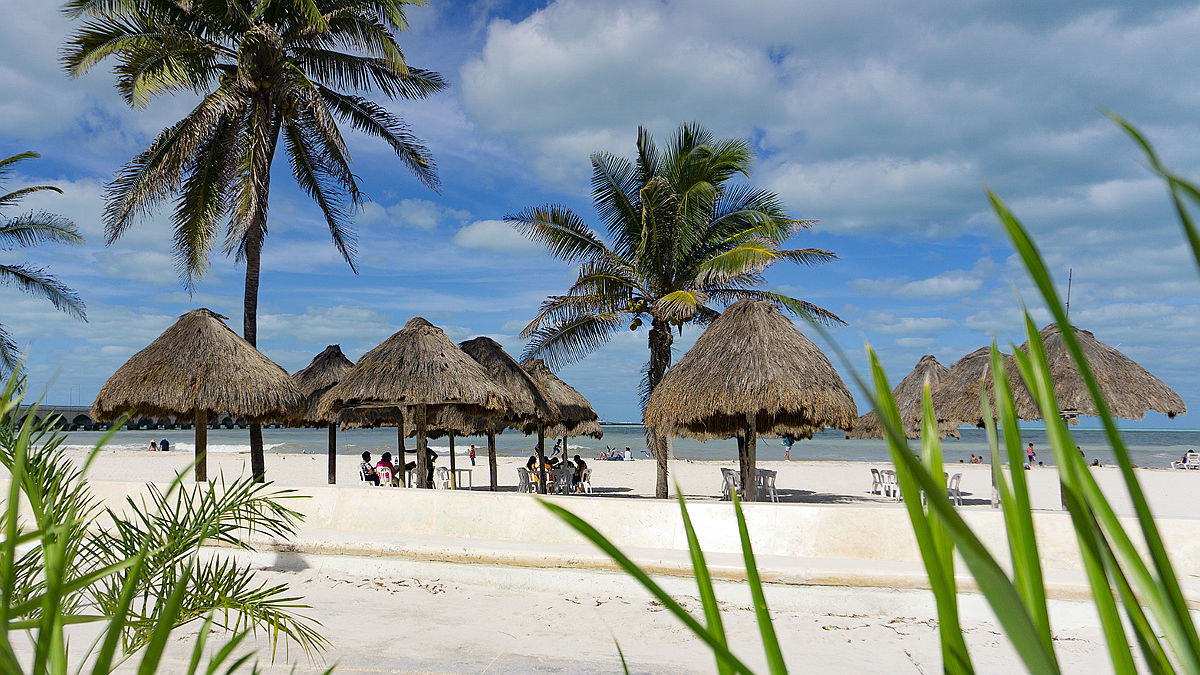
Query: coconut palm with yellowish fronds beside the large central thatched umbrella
(683, 236)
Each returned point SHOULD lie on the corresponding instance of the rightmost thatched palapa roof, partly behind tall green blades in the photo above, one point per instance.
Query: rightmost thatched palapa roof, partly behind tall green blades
(1129, 389)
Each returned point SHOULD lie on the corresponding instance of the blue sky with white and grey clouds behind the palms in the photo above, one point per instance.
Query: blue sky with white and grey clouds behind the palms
(883, 121)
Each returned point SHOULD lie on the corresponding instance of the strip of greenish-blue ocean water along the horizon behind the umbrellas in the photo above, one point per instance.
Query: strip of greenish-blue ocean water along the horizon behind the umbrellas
(1149, 447)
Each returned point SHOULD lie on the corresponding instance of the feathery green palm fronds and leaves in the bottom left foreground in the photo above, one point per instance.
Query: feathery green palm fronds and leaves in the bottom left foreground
(135, 575)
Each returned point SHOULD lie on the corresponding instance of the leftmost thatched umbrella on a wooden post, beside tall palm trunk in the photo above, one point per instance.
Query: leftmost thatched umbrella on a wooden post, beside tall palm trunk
(195, 369)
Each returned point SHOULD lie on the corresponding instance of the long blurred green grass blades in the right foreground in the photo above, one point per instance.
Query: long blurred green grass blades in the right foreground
(1141, 606)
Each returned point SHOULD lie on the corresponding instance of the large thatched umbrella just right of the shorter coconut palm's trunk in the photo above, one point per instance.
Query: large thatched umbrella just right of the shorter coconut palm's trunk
(751, 374)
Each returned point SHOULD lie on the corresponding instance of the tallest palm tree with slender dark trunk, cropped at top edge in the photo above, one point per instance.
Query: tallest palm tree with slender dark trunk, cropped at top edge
(263, 69)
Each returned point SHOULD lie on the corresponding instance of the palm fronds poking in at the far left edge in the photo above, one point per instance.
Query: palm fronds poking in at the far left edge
(25, 231)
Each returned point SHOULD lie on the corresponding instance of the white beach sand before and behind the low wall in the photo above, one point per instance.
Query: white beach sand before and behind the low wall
(442, 618)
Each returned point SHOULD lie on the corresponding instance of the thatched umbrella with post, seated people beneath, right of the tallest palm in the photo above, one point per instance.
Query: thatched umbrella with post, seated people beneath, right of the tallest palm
(417, 371)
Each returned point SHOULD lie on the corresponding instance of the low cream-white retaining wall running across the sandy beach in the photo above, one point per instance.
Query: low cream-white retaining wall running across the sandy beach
(368, 521)
